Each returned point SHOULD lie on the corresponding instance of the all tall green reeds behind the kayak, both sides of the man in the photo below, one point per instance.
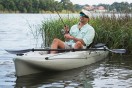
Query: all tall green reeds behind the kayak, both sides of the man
(115, 30)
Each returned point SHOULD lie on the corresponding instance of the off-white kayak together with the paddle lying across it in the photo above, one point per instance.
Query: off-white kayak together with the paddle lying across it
(31, 61)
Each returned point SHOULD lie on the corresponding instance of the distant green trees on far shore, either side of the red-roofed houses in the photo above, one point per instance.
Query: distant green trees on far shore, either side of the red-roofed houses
(38, 6)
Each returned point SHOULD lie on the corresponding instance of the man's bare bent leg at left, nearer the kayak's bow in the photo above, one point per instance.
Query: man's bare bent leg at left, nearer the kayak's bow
(57, 43)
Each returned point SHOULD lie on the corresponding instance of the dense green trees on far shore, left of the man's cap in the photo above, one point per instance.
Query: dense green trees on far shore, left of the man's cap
(35, 6)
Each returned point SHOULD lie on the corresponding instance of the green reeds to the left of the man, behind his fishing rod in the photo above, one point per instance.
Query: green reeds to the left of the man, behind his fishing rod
(52, 29)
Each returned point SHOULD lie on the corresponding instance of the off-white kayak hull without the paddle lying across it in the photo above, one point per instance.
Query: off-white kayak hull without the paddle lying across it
(35, 62)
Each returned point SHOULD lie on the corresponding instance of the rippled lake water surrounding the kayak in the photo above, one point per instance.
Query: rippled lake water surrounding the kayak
(16, 32)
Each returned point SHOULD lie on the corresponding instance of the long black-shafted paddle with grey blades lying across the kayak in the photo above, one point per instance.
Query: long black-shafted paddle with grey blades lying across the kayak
(90, 49)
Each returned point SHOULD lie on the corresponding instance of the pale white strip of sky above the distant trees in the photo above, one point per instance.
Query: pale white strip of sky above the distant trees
(96, 2)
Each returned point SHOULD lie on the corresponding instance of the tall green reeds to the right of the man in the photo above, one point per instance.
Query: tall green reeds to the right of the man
(115, 31)
